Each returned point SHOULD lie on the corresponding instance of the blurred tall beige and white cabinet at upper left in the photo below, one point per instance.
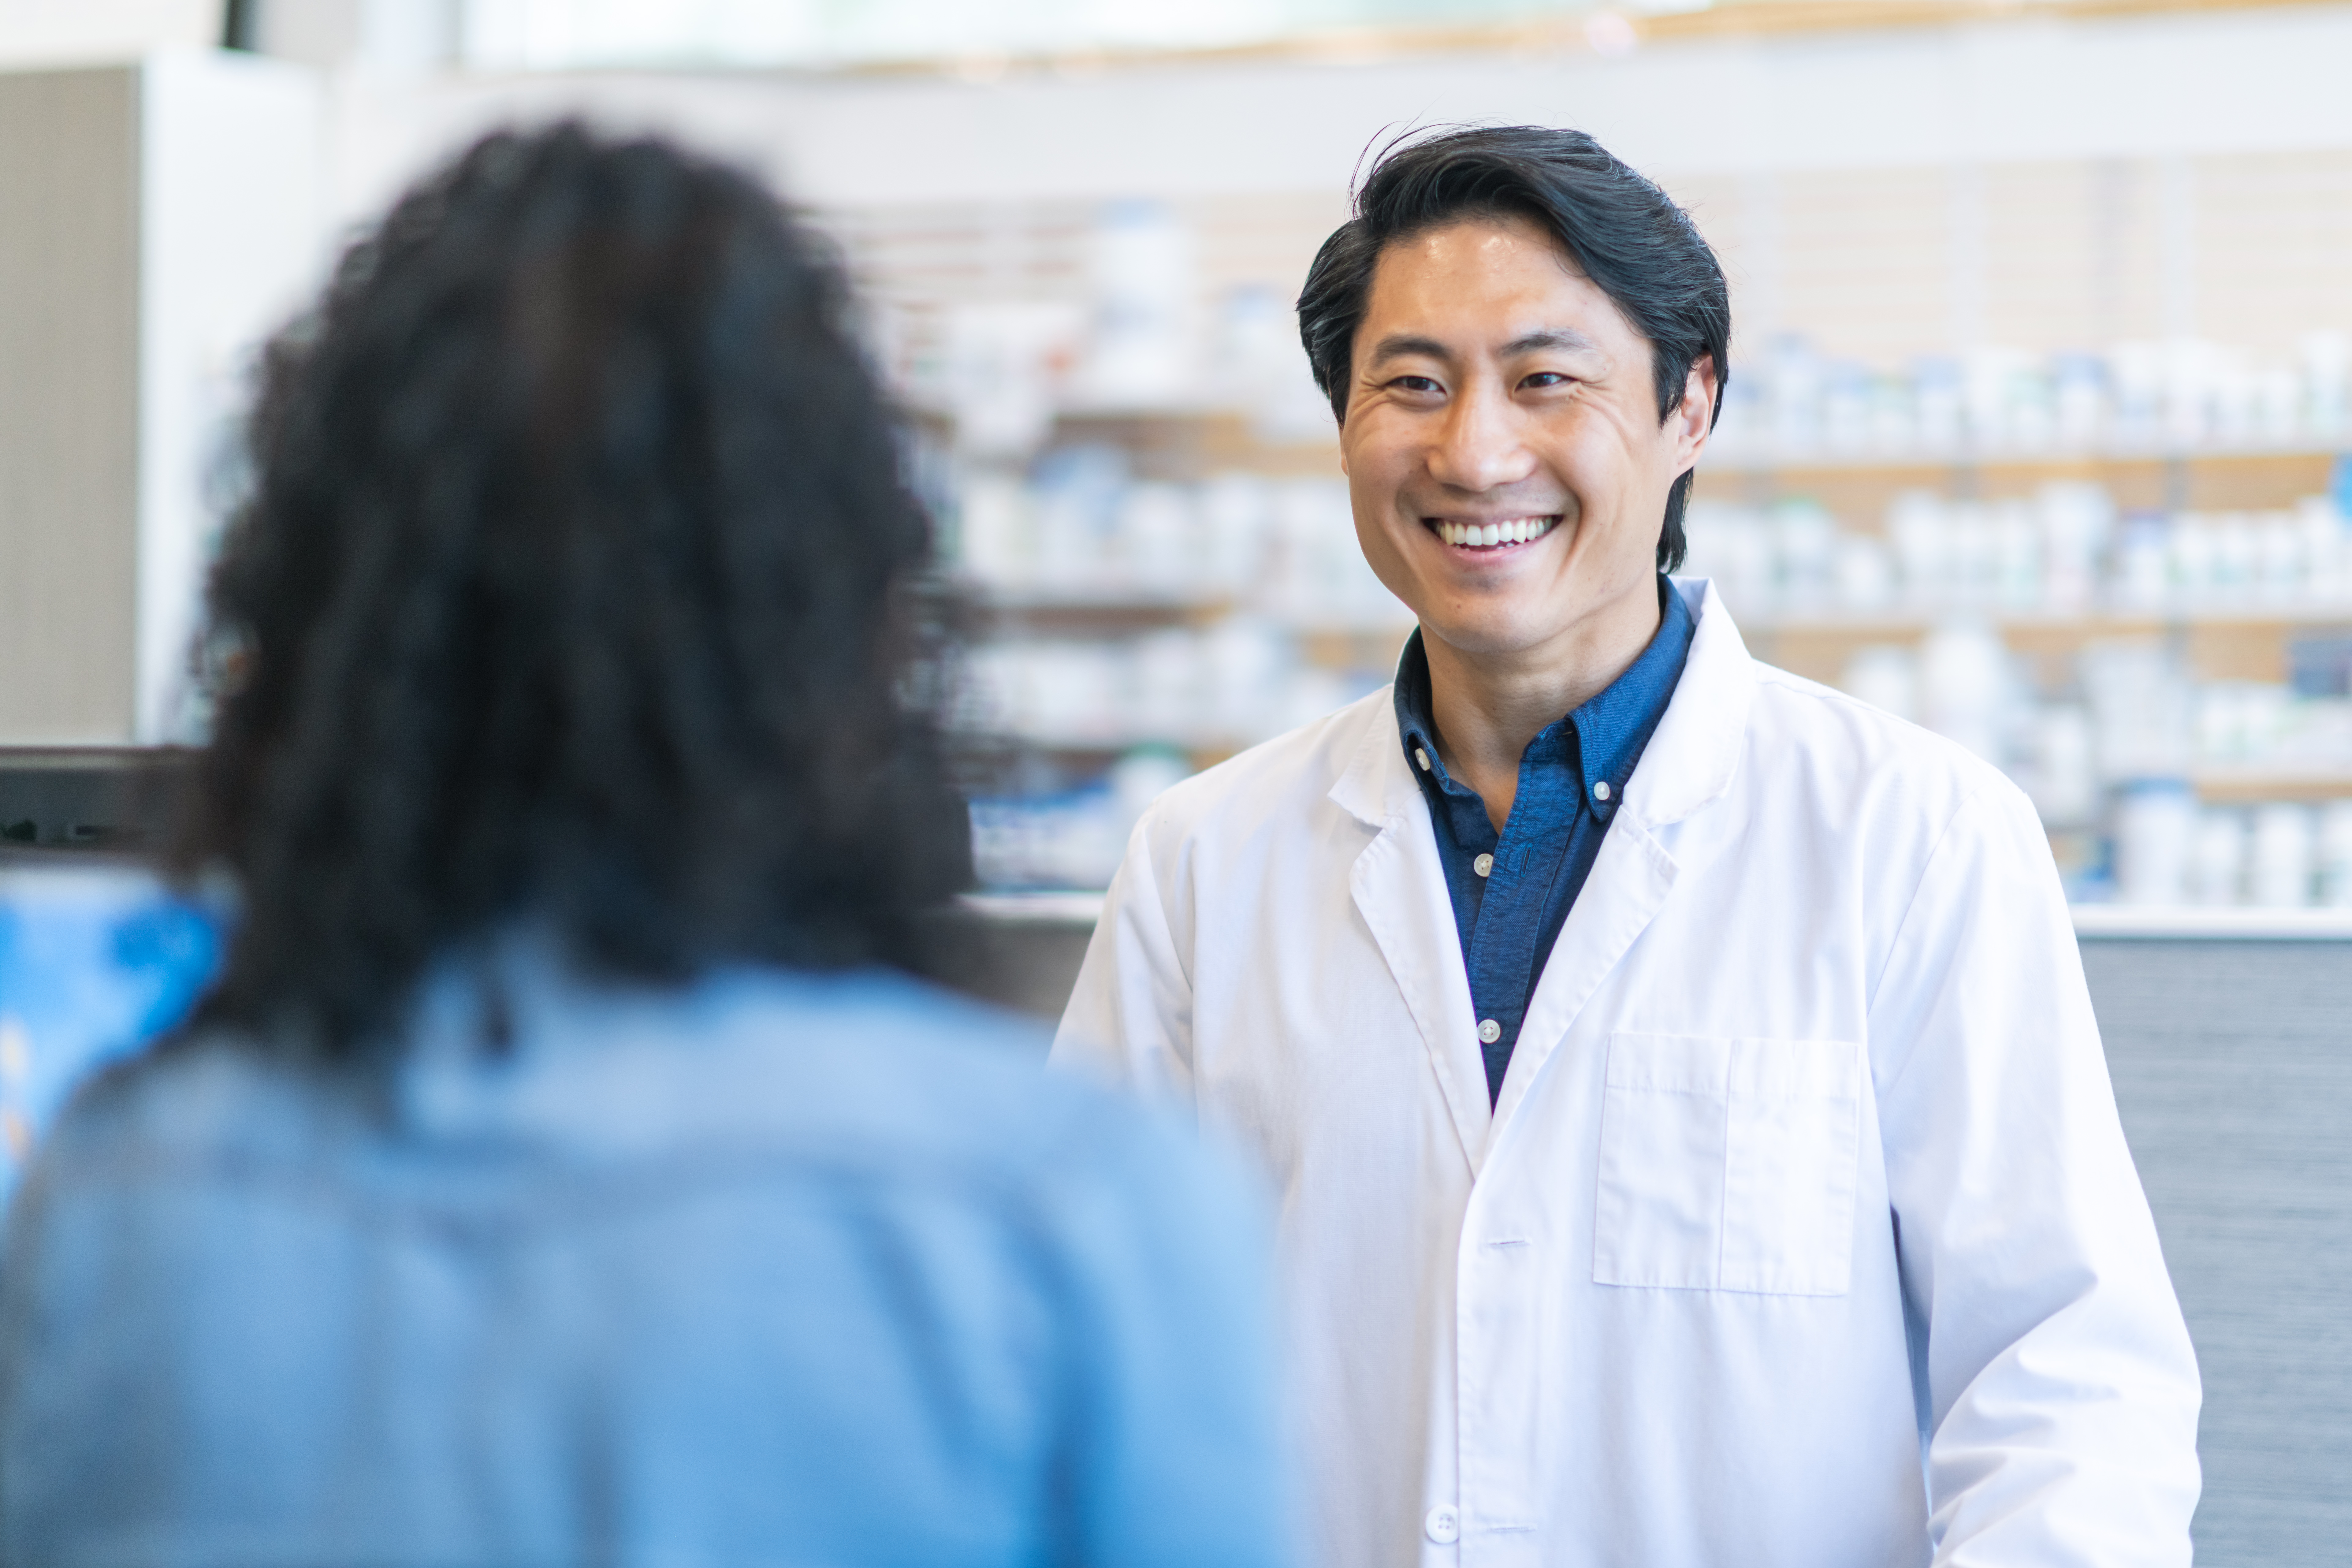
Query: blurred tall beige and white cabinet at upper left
(156, 222)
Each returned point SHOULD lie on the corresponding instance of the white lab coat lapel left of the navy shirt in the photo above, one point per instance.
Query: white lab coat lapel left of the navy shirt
(1401, 890)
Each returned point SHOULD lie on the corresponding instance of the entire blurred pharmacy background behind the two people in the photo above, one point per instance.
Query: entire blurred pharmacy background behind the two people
(2036, 434)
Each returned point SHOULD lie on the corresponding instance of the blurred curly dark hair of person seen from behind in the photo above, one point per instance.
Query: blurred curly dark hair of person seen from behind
(580, 587)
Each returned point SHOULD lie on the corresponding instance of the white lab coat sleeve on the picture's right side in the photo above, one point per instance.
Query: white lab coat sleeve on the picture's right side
(2059, 1381)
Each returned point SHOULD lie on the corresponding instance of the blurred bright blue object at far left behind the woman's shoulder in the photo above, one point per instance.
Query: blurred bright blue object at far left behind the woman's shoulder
(93, 965)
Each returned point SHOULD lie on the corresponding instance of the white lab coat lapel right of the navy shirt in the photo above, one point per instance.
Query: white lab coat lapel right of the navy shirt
(1690, 763)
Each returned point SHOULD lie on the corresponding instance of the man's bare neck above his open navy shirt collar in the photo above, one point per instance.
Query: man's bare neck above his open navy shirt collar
(1490, 706)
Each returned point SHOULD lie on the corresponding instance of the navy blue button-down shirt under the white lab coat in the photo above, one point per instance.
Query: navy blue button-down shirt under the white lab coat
(1572, 779)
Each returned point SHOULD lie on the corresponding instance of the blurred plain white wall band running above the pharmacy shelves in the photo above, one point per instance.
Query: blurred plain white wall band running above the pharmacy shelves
(1998, 91)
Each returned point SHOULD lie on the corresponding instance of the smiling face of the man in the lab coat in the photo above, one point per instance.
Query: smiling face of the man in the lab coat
(1497, 391)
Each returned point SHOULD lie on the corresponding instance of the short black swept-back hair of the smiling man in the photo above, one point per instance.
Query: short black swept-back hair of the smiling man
(1619, 229)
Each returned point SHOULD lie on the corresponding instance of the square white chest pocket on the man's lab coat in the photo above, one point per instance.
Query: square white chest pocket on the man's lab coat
(1730, 1165)
